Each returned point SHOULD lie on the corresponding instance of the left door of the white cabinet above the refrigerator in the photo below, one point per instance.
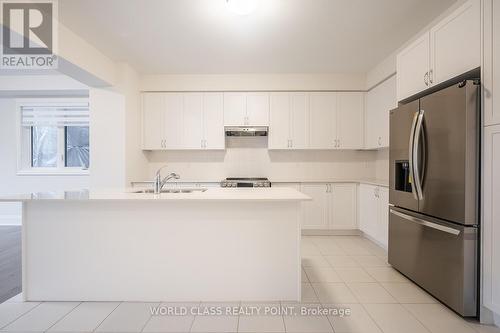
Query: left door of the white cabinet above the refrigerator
(412, 66)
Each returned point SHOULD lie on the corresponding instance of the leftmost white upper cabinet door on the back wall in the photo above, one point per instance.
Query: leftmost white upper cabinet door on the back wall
(153, 108)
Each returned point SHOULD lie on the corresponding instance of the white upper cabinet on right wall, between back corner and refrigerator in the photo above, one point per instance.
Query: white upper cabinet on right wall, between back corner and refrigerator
(379, 101)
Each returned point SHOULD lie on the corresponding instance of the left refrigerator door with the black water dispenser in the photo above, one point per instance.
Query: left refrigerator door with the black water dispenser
(402, 123)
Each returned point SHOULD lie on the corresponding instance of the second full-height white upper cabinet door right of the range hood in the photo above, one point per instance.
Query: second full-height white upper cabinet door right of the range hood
(299, 120)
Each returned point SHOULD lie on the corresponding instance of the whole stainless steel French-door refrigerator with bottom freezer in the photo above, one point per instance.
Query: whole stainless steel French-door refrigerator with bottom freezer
(434, 194)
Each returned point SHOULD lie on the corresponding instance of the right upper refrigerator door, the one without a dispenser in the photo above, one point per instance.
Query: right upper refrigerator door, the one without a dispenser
(448, 139)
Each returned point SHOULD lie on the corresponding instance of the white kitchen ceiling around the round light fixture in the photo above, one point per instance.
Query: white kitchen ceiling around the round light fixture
(281, 36)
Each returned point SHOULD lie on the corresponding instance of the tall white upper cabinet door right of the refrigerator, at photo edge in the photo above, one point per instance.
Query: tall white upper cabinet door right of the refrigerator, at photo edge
(491, 62)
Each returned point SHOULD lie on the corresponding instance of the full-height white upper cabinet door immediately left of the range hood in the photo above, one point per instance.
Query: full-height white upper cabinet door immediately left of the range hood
(213, 121)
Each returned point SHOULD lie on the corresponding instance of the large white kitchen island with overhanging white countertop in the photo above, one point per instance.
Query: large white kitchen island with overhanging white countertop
(216, 245)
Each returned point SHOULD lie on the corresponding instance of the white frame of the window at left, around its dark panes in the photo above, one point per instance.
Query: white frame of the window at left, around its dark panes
(24, 145)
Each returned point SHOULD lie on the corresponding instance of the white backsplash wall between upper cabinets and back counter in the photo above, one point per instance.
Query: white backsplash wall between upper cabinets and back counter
(249, 157)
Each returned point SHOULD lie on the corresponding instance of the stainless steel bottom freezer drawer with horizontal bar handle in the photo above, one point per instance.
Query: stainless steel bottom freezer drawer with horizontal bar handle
(440, 257)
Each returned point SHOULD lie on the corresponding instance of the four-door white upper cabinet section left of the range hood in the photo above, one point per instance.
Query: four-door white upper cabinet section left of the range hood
(183, 121)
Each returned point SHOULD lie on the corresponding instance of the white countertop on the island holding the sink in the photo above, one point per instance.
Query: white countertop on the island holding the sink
(211, 194)
